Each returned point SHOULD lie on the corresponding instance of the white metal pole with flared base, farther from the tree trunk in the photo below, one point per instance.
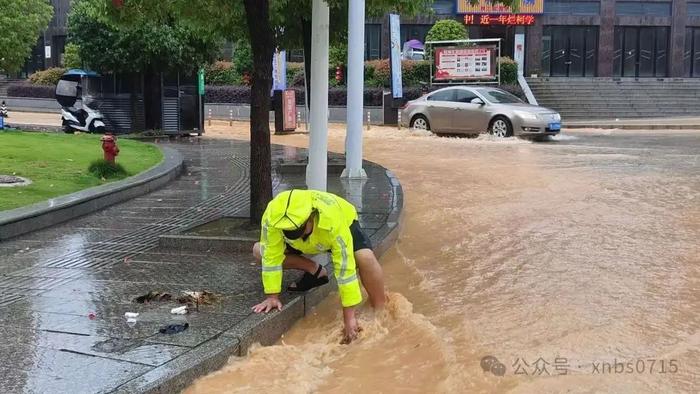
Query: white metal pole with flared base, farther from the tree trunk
(356, 52)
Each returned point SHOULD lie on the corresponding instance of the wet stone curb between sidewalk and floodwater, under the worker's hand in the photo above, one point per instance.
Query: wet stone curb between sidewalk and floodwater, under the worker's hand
(265, 329)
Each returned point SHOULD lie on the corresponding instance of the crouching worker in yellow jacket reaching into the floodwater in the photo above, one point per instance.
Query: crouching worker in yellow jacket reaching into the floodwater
(300, 222)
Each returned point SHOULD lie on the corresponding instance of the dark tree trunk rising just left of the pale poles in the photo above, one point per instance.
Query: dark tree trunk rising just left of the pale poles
(262, 45)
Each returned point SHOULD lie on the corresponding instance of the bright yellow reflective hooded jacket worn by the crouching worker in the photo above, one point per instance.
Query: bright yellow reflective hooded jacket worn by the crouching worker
(288, 211)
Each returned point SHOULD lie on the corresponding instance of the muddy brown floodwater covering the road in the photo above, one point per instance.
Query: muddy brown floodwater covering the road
(575, 263)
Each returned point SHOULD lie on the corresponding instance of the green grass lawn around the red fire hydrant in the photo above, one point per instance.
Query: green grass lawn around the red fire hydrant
(58, 164)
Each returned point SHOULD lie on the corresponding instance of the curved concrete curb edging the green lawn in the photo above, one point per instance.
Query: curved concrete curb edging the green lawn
(57, 210)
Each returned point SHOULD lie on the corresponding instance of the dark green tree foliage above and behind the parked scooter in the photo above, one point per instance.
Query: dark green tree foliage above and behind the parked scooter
(164, 43)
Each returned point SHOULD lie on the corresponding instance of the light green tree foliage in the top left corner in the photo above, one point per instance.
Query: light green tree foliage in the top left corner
(22, 22)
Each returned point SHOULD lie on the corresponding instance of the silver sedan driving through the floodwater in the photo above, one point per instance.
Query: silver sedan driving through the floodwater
(475, 110)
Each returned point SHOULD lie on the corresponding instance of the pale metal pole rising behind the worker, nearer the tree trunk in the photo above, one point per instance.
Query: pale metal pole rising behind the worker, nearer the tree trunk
(316, 170)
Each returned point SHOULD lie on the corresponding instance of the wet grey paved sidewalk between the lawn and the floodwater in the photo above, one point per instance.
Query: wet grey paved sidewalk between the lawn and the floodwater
(64, 290)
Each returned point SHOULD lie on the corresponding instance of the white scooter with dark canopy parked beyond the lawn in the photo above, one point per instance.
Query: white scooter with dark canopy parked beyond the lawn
(79, 111)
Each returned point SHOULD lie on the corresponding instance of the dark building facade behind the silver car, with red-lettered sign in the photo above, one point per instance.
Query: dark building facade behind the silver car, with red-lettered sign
(574, 38)
